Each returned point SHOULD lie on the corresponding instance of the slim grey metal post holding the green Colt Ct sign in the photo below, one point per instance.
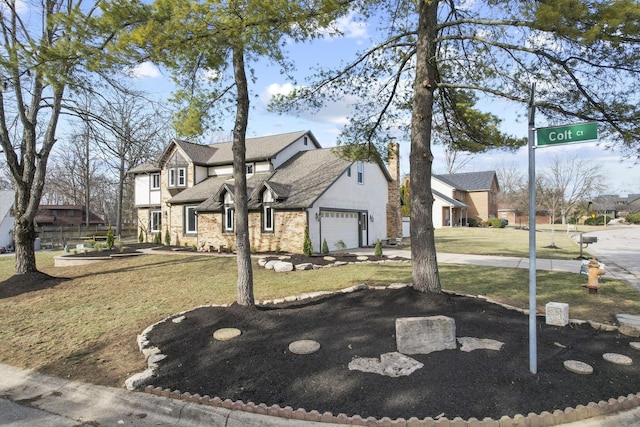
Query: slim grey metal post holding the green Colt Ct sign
(533, 342)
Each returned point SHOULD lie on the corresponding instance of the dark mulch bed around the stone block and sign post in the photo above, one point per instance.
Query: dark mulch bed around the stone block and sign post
(258, 367)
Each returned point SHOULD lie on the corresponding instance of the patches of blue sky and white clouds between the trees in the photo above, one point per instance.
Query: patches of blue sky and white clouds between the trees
(622, 176)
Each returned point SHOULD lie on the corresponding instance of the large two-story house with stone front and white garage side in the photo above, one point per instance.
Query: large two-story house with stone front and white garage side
(292, 183)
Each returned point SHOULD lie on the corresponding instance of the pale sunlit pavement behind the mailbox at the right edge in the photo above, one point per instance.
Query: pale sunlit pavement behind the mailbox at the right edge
(618, 247)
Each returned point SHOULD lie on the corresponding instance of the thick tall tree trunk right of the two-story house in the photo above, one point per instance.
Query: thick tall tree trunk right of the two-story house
(423, 249)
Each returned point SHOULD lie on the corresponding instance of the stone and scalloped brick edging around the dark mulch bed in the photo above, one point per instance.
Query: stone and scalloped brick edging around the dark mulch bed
(545, 418)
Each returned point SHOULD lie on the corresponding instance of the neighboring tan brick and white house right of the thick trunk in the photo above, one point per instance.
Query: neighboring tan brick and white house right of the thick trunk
(461, 197)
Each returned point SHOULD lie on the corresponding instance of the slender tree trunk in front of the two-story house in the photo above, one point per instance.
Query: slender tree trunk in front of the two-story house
(245, 270)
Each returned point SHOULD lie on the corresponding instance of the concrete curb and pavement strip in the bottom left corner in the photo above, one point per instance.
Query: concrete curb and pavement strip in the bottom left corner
(28, 398)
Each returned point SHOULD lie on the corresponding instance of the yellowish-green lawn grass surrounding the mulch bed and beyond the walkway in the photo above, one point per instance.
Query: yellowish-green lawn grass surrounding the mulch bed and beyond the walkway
(86, 327)
